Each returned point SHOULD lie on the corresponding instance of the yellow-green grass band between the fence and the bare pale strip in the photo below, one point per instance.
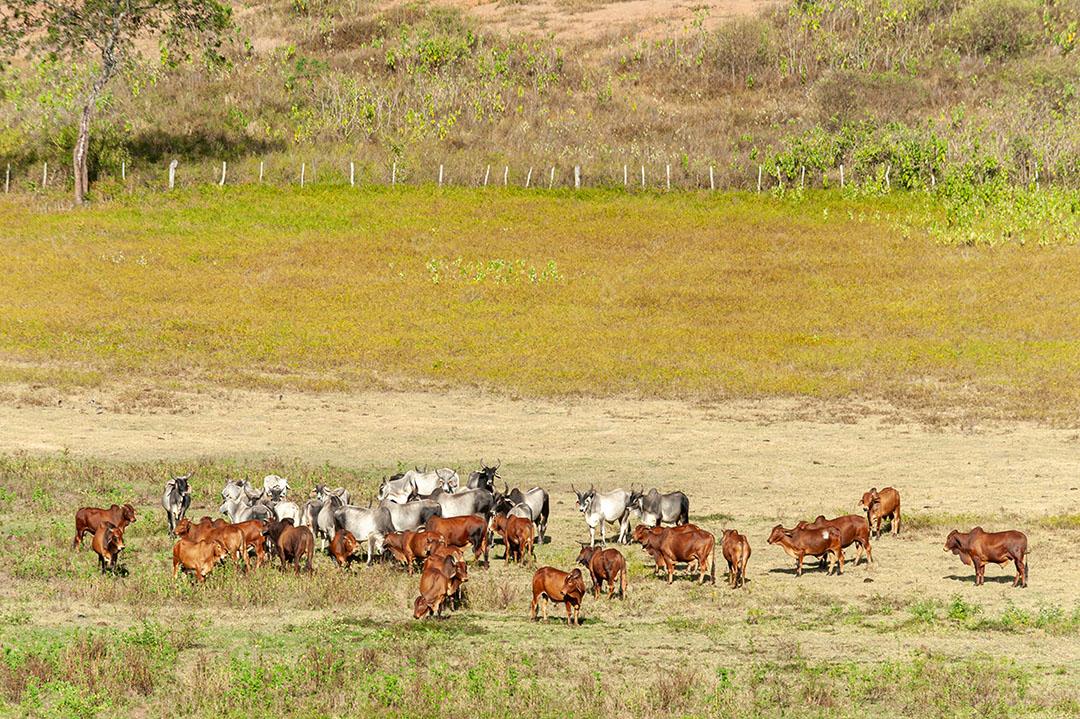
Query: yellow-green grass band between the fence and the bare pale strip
(691, 296)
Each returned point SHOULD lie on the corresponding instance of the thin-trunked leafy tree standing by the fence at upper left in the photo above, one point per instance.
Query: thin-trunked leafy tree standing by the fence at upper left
(109, 30)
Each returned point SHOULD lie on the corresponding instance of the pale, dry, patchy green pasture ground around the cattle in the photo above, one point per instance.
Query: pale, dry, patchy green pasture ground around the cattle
(912, 636)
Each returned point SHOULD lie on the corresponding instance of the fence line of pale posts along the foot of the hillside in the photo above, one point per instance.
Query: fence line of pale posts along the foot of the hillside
(178, 174)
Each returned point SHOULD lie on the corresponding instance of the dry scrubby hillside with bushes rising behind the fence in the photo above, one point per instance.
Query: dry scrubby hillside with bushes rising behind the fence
(961, 91)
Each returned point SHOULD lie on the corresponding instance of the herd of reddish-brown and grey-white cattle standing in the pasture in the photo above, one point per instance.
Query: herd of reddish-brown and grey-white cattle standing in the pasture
(428, 520)
